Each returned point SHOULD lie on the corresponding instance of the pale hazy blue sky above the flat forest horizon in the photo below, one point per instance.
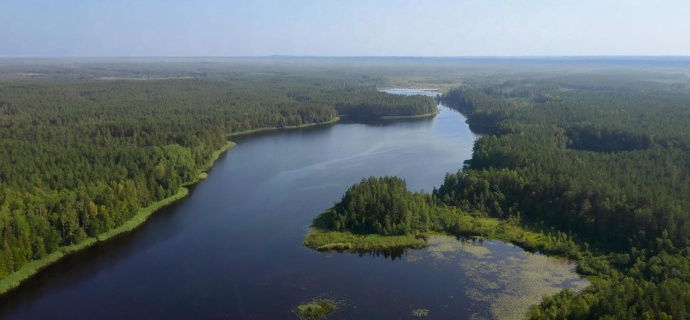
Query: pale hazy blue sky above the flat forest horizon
(447, 28)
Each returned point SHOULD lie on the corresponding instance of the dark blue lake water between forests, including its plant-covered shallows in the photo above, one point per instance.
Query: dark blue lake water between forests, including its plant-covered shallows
(233, 248)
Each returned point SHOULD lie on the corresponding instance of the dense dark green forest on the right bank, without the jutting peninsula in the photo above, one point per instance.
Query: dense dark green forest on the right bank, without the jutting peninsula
(599, 156)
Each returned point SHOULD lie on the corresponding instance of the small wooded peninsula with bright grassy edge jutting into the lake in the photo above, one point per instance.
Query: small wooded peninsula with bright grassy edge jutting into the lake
(380, 213)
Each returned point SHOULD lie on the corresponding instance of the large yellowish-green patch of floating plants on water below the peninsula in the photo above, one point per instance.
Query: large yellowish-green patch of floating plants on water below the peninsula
(509, 281)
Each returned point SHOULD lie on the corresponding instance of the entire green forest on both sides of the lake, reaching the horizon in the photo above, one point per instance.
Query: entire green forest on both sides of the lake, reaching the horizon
(592, 155)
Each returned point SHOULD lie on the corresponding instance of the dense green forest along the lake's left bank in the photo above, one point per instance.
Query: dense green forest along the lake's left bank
(82, 149)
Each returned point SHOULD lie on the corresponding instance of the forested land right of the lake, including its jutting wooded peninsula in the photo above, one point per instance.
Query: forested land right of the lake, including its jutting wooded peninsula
(590, 165)
